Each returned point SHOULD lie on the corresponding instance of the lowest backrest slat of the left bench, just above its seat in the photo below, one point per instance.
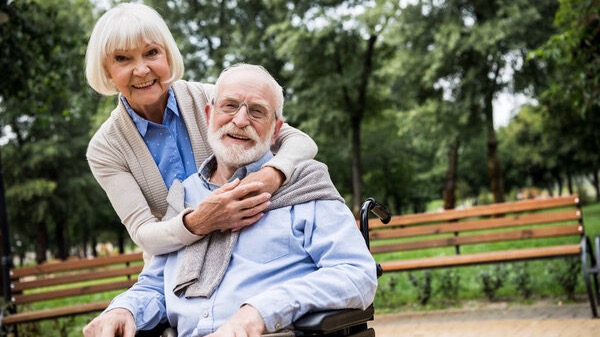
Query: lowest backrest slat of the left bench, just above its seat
(83, 290)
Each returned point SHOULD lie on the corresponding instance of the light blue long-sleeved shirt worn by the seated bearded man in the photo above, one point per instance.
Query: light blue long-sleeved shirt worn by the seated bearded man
(295, 259)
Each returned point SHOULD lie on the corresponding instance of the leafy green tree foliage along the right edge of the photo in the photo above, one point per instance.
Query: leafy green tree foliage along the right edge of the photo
(572, 57)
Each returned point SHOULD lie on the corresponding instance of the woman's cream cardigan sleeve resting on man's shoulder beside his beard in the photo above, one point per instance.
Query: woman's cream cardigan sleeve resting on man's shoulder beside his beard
(291, 147)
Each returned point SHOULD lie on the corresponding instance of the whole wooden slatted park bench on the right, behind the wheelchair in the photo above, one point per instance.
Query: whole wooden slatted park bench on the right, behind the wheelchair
(496, 233)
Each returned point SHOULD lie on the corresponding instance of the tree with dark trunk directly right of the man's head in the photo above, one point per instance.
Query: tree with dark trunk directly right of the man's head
(334, 54)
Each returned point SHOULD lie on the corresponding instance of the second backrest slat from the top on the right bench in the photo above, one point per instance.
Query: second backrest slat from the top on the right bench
(473, 225)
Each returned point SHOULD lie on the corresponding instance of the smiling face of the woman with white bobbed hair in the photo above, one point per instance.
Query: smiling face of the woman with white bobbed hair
(140, 75)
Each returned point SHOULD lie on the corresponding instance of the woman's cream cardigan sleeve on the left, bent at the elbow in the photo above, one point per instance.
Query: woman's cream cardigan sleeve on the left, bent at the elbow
(145, 229)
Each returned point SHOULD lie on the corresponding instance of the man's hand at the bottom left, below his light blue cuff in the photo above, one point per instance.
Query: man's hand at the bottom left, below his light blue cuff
(117, 322)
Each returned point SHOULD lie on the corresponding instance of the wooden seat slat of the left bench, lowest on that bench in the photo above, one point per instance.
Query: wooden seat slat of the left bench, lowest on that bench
(33, 316)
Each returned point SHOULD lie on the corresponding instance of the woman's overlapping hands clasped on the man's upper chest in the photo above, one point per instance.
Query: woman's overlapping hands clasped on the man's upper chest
(236, 204)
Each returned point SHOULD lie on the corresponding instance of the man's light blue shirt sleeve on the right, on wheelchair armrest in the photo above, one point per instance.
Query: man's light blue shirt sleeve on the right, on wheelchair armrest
(345, 276)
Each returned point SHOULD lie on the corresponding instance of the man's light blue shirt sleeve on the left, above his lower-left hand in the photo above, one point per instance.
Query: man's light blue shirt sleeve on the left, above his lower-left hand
(146, 298)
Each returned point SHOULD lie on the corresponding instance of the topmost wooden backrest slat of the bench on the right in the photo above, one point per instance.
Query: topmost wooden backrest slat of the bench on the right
(477, 211)
